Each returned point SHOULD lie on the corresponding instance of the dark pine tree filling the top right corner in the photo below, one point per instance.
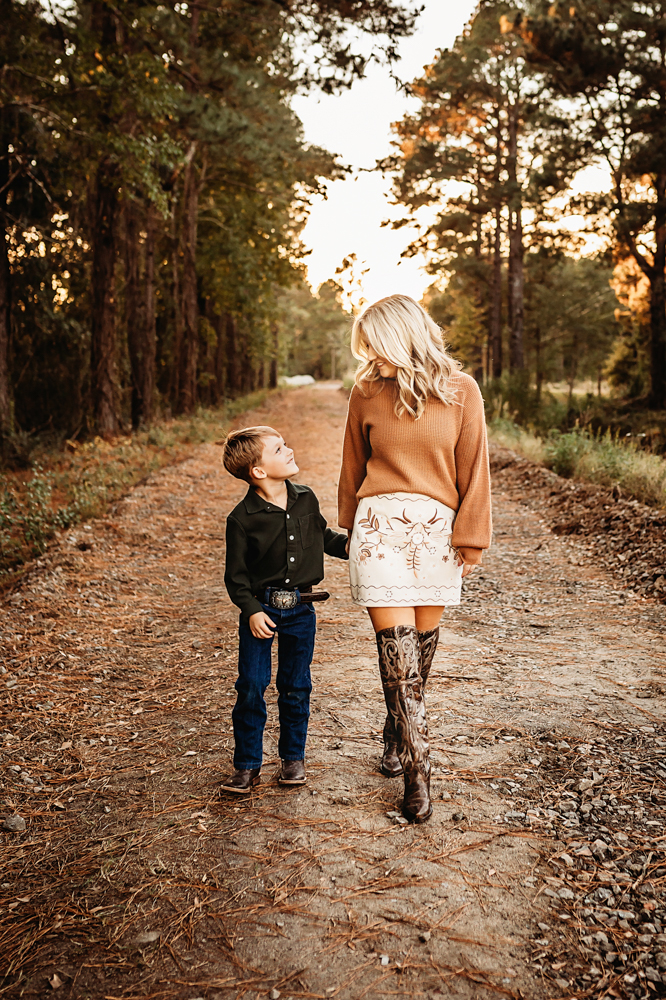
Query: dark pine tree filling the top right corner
(606, 59)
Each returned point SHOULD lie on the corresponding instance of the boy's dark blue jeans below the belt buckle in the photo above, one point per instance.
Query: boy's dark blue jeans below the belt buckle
(295, 630)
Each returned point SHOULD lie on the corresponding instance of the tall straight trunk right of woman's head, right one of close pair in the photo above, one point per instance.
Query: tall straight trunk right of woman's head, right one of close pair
(516, 276)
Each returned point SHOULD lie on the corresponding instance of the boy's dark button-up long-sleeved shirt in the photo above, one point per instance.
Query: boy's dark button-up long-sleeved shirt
(271, 547)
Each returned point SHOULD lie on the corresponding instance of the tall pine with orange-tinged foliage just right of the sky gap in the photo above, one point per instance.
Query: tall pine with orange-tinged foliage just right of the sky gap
(485, 116)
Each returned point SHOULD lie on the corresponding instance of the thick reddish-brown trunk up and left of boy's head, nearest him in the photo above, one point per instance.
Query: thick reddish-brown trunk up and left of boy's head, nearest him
(189, 348)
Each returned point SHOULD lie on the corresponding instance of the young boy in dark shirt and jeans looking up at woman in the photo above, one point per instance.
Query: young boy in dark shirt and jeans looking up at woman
(276, 539)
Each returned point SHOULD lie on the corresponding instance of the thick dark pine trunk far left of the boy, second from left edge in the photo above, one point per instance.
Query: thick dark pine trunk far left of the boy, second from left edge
(103, 325)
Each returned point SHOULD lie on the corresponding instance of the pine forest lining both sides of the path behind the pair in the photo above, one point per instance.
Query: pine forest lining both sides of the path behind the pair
(154, 183)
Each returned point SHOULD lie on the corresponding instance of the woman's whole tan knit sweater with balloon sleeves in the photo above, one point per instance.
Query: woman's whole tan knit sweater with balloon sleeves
(443, 455)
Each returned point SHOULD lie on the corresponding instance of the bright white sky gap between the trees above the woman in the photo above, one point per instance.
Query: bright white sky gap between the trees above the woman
(357, 126)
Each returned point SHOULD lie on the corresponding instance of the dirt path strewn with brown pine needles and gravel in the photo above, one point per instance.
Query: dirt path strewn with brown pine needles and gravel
(539, 875)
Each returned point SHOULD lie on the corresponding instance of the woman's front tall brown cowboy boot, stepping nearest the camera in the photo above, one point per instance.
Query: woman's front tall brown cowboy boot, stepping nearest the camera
(399, 666)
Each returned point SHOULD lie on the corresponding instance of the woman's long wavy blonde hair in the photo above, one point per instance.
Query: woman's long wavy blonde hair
(399, 330)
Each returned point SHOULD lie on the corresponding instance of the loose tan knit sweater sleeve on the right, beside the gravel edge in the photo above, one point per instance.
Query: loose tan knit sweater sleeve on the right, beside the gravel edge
(473, 524)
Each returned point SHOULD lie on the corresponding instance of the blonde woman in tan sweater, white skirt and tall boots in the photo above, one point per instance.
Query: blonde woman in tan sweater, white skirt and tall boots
(414, 496)
